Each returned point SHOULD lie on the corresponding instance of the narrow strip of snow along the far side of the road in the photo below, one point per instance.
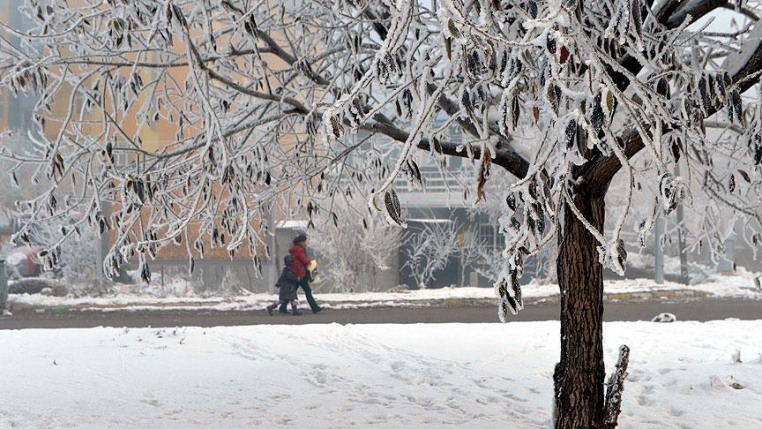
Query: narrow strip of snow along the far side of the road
(179, 295)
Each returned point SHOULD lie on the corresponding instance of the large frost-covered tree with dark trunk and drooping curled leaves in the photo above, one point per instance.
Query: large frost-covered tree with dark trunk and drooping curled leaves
(194, 117)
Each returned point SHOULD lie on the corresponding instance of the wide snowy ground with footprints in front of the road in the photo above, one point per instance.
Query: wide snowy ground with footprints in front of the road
(681, 375)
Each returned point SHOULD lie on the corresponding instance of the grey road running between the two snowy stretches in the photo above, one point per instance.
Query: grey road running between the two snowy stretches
(703, 310)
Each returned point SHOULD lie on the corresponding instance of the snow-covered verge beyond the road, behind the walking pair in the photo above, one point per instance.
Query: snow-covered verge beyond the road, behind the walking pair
(736, 288)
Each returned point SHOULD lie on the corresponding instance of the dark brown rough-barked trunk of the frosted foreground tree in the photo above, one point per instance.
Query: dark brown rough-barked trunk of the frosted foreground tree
(580, 375)
